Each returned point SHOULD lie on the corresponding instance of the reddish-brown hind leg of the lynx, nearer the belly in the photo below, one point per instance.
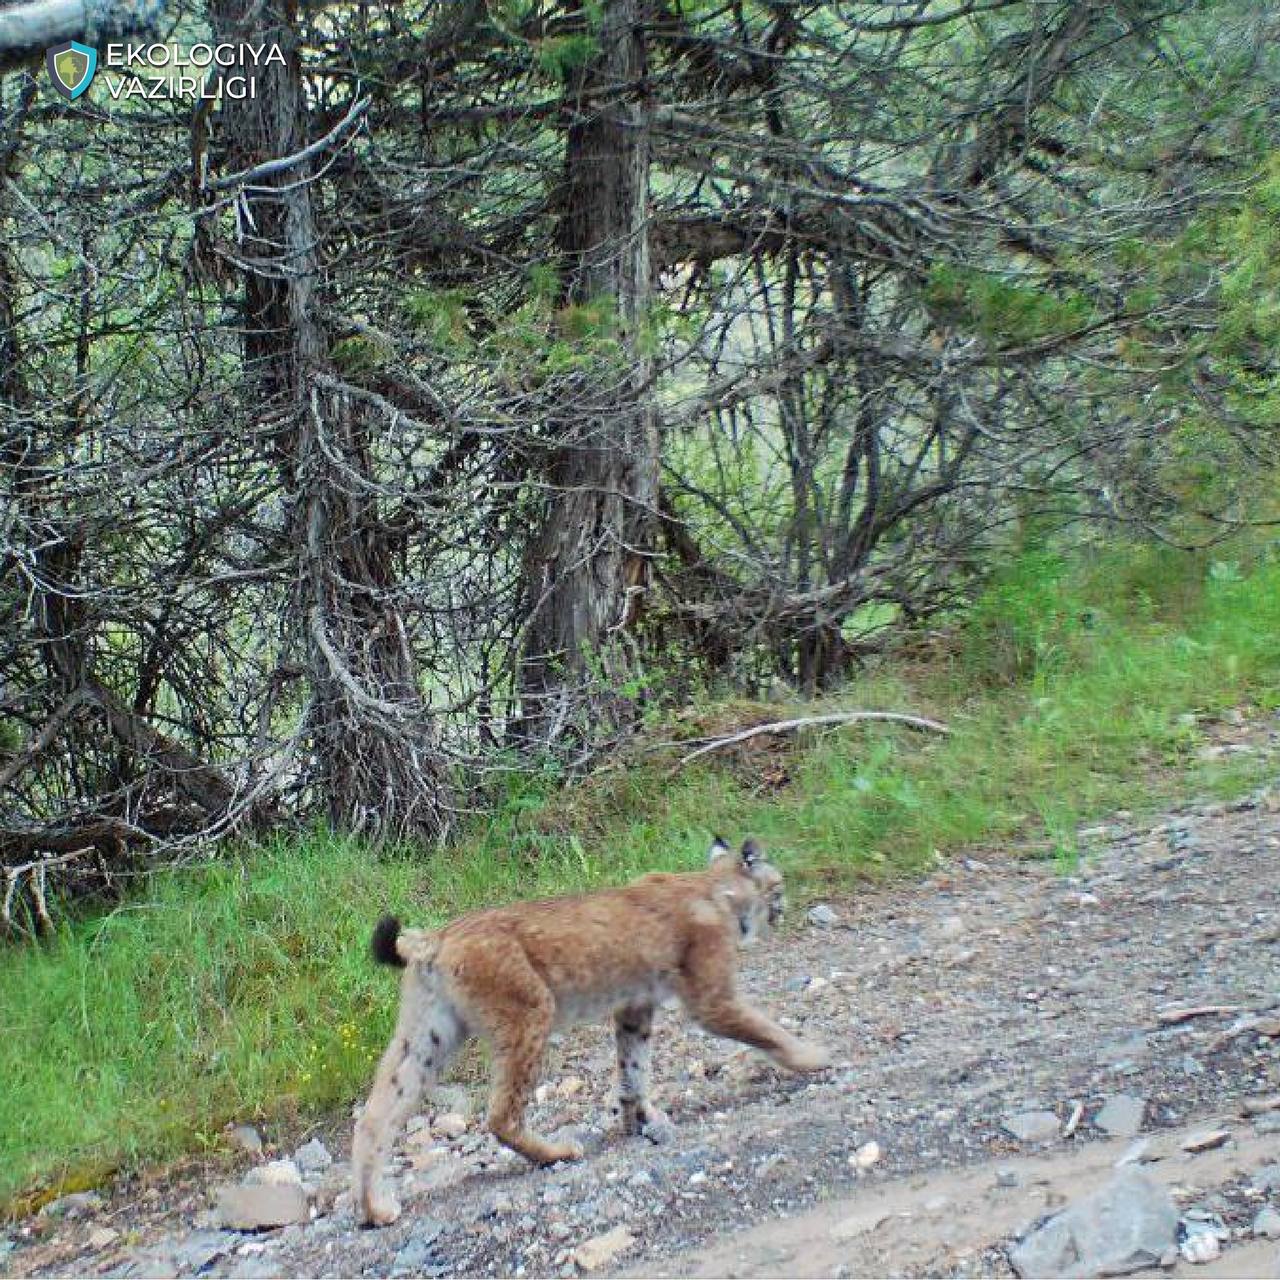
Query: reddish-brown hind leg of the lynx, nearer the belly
(516, 1012)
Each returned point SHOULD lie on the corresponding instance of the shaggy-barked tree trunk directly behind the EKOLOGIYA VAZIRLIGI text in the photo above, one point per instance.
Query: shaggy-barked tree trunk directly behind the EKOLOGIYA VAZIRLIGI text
(376, 760)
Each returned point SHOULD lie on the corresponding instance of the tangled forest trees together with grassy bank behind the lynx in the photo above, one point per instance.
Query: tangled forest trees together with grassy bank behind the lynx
(515, 395)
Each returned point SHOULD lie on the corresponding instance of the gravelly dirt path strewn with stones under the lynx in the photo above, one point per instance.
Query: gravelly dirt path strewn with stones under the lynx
(993, 990)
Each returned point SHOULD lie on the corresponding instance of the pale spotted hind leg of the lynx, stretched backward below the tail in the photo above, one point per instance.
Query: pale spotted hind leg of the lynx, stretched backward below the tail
(428, 1032)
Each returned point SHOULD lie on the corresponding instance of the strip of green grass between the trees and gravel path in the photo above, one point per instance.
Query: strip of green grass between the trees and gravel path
(241, 989)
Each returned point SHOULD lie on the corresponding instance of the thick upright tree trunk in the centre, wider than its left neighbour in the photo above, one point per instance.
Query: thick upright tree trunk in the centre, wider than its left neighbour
(589, 565)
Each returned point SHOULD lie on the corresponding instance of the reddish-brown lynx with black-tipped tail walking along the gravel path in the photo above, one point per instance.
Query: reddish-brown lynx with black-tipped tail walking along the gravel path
(513, 975)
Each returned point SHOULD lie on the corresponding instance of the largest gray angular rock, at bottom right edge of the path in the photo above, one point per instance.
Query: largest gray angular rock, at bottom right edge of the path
(1124, 1227)
